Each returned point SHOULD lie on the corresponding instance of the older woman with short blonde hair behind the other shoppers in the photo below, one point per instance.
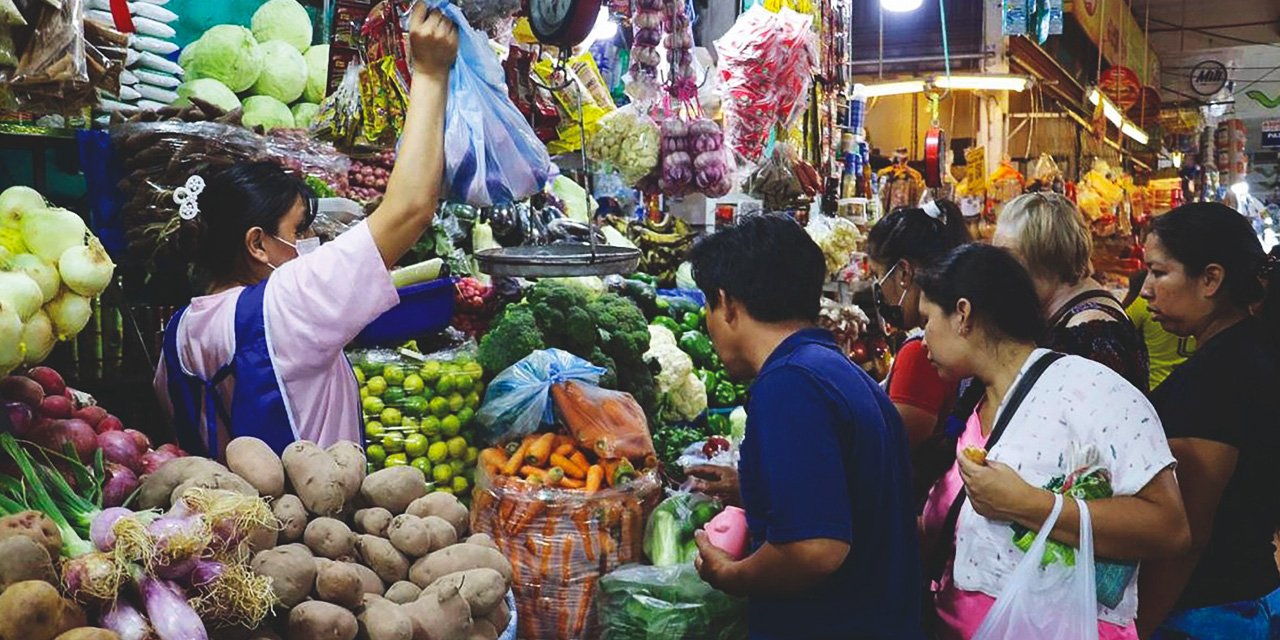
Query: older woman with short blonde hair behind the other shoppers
(1052, 239)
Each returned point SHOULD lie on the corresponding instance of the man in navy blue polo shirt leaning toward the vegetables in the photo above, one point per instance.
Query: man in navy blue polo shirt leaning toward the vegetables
(825, 468)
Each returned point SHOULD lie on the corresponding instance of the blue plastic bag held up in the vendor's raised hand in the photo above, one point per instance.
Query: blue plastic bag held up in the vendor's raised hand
(492, 156)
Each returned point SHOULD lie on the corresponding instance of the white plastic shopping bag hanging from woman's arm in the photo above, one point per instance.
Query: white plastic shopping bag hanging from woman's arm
(1048, 602)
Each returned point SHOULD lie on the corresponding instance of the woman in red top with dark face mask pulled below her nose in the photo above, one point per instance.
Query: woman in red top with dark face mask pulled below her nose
(902, 245)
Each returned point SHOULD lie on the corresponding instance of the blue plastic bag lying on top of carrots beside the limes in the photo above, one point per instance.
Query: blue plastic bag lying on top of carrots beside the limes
(518, 401)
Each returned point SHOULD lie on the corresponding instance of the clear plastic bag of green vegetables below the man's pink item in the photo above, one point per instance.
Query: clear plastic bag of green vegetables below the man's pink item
(641, 604)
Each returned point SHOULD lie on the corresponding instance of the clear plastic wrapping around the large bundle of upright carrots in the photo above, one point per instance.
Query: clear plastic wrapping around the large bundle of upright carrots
(561, 543)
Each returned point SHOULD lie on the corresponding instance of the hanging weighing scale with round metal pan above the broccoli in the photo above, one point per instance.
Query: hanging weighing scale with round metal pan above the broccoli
(563, 24)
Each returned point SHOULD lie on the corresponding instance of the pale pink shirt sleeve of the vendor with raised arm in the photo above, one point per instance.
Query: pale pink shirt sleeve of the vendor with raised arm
(319, 303)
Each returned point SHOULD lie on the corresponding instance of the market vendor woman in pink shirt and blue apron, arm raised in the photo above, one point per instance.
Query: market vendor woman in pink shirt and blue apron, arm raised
(262, 353)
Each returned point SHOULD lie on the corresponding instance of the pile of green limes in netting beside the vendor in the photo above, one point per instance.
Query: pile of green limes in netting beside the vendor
(422, 415)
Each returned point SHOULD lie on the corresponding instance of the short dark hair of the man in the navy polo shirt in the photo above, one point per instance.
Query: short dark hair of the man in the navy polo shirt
(769, 264)
